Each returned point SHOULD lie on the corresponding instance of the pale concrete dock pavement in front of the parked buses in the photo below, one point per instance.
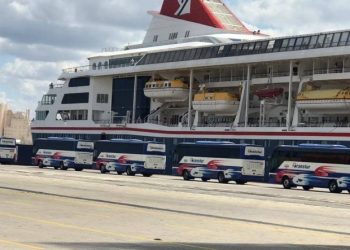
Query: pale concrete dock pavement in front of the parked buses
(53, 209)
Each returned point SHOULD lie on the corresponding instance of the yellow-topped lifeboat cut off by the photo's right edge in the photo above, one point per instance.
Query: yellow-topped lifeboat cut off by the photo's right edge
(334, 101)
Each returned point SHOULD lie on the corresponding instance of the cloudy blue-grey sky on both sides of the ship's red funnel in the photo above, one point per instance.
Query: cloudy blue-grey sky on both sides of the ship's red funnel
(38, 38)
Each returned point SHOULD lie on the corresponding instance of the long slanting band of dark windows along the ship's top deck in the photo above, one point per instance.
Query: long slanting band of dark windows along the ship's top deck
(250, 48)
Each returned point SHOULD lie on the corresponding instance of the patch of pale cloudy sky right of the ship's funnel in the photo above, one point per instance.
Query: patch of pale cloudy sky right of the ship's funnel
(291, 17)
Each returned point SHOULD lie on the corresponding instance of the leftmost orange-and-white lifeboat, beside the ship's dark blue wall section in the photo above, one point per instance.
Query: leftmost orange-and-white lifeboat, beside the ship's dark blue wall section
(167, 91)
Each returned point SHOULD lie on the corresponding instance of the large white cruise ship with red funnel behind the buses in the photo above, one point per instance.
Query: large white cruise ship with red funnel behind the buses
(200, 73)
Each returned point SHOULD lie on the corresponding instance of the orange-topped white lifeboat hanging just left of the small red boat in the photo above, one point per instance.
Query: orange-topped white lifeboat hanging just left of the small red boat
(221, 102)
